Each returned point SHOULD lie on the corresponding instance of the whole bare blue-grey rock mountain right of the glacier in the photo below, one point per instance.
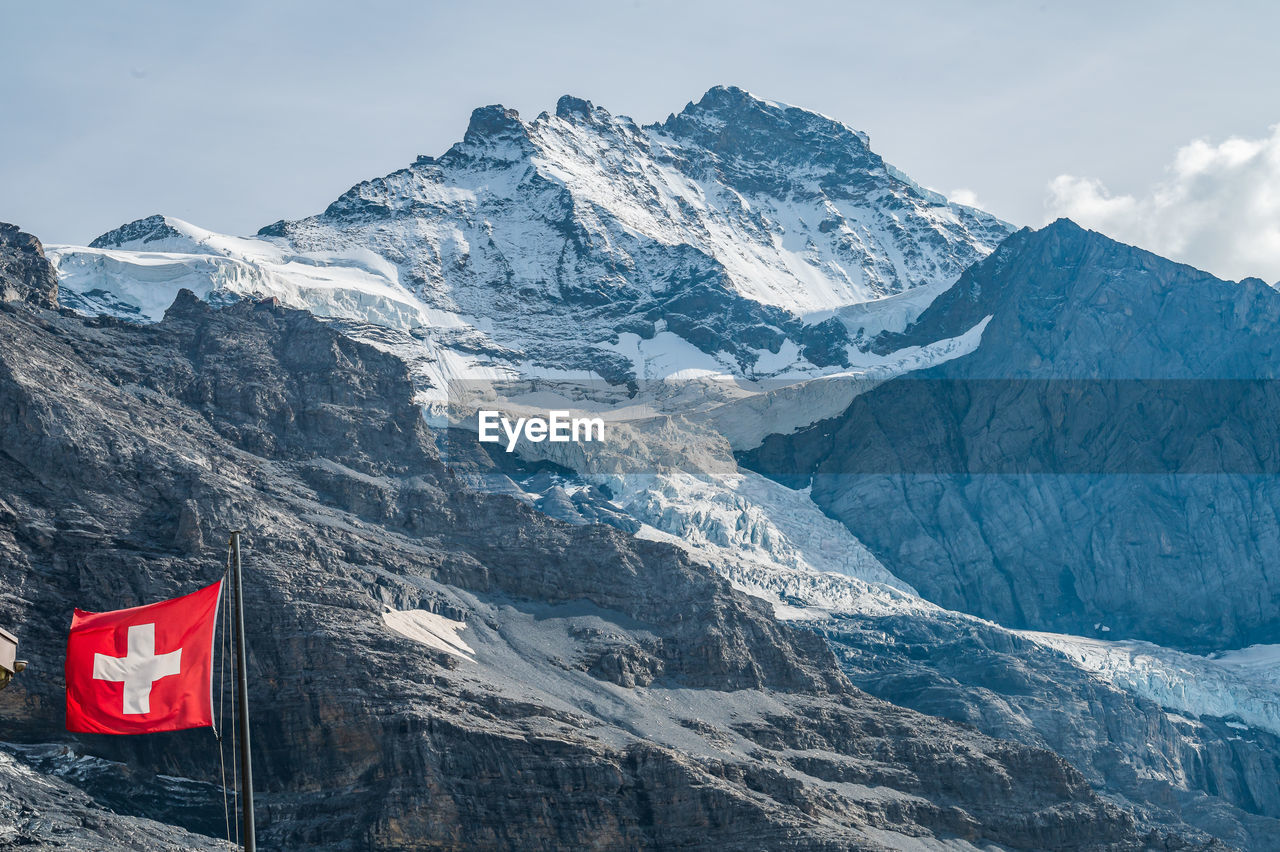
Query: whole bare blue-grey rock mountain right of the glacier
(1101, 464)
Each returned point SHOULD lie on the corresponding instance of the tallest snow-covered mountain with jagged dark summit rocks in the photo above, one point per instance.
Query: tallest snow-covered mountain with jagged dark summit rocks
(738, 228)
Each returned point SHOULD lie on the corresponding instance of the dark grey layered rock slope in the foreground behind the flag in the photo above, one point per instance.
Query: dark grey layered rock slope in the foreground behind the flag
(615, 695)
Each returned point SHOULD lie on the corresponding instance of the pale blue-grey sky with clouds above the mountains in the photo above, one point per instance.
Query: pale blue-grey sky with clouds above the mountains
(1151, 121)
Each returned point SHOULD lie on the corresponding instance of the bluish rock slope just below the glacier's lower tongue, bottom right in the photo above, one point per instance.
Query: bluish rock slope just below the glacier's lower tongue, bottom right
(1173, 767)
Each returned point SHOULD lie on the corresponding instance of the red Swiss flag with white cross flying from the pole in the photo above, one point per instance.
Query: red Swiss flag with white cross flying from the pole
(144, 670)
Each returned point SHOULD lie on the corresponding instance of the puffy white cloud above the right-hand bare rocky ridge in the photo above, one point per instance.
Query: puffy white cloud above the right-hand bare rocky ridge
(1218, 208)
